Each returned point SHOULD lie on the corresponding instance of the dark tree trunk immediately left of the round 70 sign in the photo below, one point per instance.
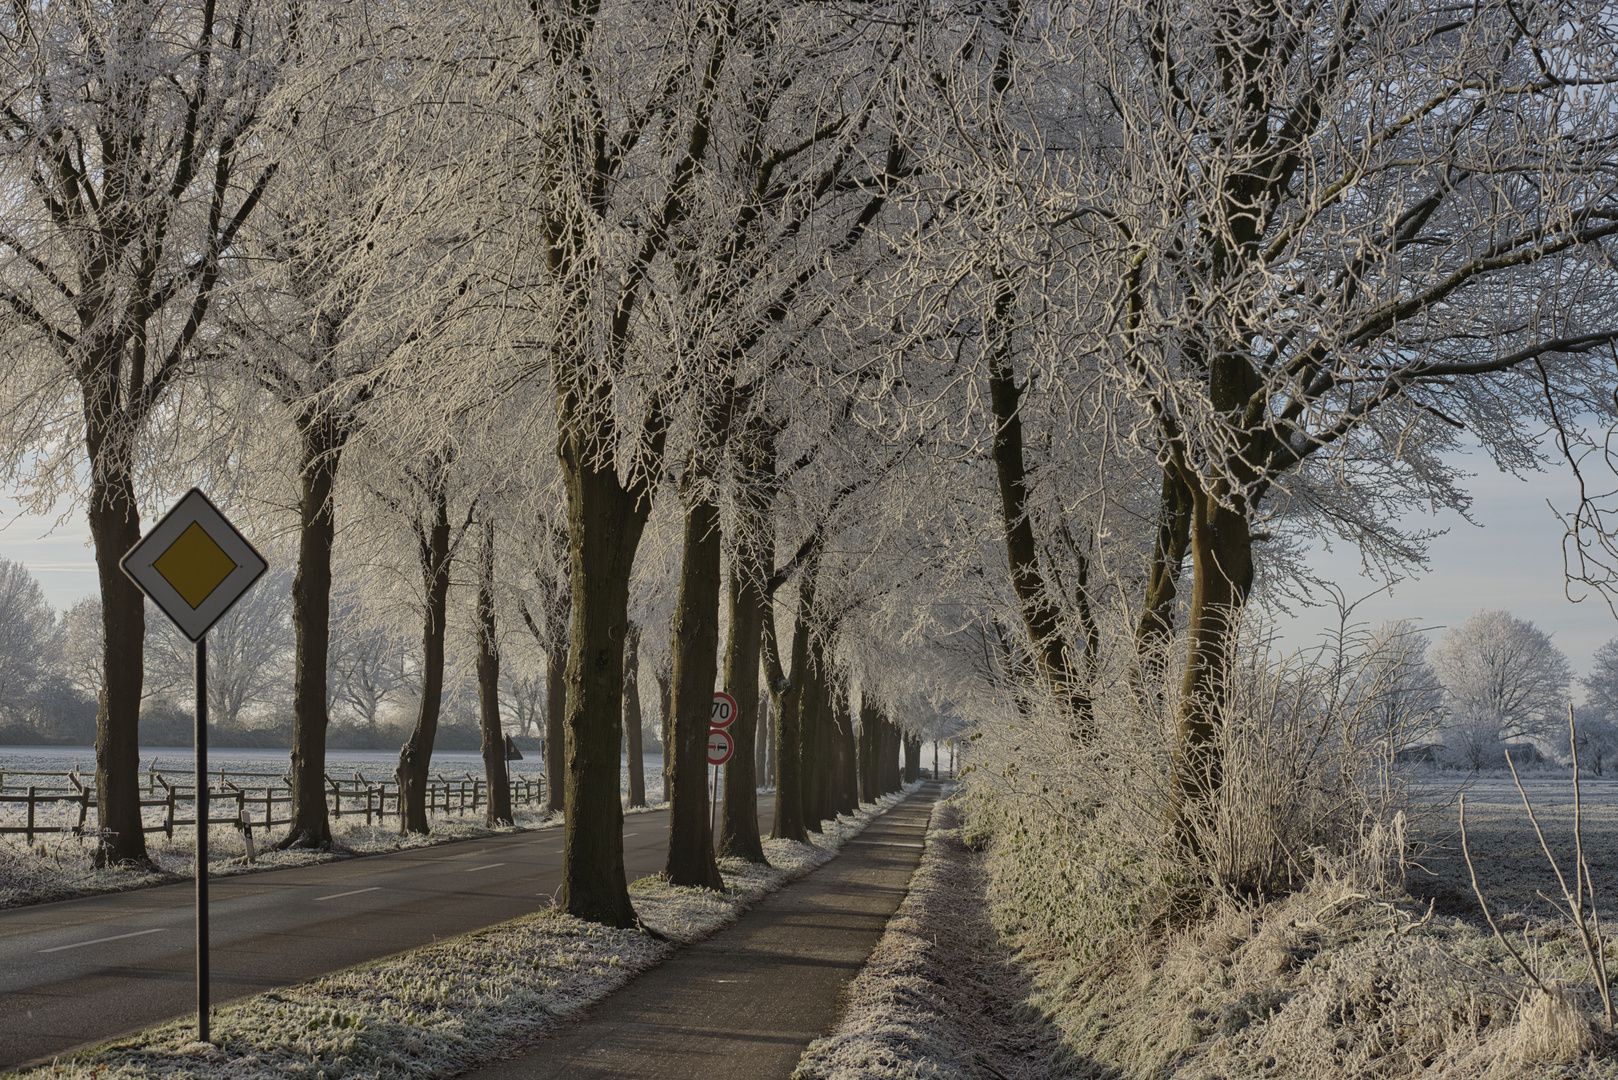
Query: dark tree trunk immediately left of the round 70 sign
(695, 650)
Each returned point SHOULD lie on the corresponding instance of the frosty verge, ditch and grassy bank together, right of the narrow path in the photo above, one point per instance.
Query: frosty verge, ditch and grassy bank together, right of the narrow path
(1349, 977)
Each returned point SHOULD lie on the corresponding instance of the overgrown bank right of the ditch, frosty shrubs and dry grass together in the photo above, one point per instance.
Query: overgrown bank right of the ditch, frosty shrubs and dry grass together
(1287, 950)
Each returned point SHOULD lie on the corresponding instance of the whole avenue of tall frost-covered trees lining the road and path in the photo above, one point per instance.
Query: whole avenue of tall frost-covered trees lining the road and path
(926, 357)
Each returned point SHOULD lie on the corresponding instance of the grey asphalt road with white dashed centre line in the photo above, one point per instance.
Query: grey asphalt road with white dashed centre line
(82, 972)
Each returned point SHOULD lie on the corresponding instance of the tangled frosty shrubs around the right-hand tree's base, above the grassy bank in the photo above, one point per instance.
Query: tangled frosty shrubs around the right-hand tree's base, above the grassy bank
(1082, 853)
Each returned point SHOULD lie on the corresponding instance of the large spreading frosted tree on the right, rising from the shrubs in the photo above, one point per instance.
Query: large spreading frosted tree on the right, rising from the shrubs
(1310, 245)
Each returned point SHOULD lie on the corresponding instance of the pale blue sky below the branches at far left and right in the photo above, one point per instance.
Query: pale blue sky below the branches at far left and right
(1512, 561)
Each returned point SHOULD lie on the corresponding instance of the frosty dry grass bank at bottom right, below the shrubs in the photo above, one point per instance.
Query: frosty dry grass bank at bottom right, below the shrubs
(1347, 977)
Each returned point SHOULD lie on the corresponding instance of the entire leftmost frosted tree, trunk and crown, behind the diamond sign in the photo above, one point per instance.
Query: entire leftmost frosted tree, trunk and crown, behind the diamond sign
(125, 137)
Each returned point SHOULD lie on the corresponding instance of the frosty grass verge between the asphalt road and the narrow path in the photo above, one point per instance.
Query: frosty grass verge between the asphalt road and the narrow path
(443, 1010)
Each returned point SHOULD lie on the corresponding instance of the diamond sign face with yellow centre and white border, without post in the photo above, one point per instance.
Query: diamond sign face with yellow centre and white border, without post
(195, 564)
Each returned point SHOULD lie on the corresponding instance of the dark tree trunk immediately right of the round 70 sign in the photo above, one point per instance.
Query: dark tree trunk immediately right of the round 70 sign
(739, 827)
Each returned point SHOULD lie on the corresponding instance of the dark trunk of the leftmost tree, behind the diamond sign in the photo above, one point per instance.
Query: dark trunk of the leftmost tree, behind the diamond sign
(116, 527)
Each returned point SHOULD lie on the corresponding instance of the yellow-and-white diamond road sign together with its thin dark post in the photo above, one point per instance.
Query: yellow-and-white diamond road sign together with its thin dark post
(195, 566)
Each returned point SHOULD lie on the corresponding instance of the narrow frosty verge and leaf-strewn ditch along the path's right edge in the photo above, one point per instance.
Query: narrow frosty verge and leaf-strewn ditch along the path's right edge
(941, 997)
